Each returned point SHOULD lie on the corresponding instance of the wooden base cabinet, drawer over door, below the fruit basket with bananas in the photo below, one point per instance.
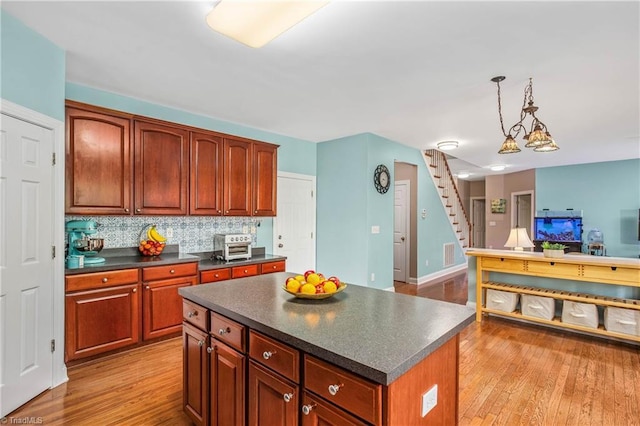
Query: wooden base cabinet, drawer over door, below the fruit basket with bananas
(161, 303)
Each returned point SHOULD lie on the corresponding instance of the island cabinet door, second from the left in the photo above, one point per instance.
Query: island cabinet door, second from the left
(227, 393)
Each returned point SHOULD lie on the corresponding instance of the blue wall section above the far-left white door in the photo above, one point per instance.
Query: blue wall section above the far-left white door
(33, 68)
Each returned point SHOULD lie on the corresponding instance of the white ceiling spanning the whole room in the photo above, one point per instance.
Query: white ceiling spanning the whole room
(414, 72)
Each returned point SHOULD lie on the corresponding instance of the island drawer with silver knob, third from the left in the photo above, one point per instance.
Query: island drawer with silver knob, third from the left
(275, 355)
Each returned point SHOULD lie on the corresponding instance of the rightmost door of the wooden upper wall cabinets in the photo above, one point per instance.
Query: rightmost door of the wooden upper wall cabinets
(265, 169)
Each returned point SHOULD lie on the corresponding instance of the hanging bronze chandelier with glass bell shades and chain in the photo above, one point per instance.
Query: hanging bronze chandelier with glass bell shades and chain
(537, 137)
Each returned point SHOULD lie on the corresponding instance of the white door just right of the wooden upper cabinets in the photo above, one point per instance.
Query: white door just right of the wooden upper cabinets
(295, 226)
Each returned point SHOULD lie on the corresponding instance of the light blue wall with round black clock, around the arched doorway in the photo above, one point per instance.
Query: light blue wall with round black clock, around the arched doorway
(349, 205)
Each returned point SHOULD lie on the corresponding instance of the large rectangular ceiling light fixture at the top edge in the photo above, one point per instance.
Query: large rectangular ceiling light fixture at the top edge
(256, 23)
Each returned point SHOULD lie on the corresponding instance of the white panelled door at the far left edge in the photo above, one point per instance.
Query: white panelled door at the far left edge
(26, 264)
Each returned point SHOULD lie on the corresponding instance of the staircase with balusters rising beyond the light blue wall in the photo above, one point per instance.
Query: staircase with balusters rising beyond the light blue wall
(443, 179)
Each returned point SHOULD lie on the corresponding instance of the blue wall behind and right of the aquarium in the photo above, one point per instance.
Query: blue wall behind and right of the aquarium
(608, 193)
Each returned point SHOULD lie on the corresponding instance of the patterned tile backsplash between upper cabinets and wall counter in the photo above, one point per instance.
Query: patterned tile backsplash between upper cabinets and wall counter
(193, 233)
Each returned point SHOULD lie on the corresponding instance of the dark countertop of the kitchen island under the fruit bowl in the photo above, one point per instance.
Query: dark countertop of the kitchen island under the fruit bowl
(377, 334)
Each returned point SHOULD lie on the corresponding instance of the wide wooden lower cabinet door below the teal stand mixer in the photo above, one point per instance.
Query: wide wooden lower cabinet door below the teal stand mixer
(101, 320)
